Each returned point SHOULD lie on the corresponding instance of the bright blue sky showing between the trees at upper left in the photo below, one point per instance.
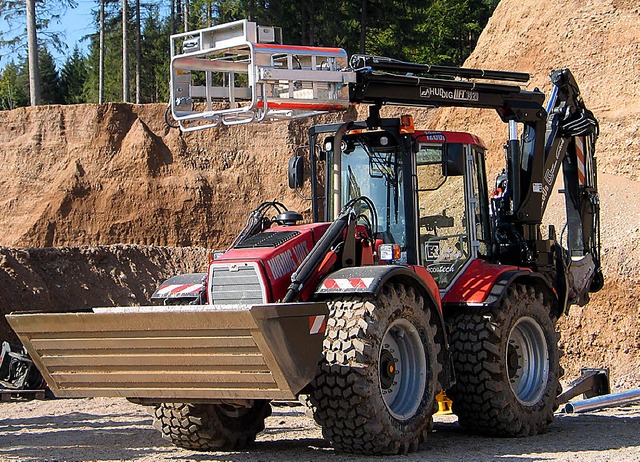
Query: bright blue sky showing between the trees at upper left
(77, 23)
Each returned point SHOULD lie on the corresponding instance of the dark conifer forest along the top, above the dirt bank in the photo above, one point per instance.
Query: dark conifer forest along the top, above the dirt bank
(433, 31)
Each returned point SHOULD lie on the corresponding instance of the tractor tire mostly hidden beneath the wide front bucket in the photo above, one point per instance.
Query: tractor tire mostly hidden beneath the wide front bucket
(203, 427)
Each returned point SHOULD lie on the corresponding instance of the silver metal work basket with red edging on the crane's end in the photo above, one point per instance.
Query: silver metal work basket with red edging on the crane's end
(237, 73)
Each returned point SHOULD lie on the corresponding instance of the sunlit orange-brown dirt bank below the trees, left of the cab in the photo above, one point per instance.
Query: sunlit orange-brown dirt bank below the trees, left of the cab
(87, 175)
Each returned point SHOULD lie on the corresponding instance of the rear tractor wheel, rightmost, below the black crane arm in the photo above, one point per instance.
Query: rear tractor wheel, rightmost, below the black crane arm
(507, 365)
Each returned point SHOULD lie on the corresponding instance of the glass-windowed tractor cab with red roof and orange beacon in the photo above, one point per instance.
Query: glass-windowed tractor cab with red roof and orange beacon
(428, 190)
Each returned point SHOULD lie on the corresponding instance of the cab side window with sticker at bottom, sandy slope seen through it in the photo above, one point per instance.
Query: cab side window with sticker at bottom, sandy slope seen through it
(443, 235)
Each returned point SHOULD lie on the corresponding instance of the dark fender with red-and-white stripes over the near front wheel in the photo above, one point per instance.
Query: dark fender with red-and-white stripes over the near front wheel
(370, 280)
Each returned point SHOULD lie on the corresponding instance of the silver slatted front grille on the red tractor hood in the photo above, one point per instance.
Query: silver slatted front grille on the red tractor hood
(235, 284)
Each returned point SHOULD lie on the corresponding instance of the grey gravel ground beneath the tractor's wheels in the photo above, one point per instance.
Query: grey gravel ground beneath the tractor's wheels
(103, 429)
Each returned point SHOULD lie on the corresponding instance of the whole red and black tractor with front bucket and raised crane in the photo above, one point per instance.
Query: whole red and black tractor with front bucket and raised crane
(412, 277)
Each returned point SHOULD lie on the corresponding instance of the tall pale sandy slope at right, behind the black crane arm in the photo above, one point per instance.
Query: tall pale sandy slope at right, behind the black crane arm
(600, 42)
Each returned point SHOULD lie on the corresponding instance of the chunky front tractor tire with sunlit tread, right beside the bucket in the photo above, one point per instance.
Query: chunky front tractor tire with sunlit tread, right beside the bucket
(375, 389)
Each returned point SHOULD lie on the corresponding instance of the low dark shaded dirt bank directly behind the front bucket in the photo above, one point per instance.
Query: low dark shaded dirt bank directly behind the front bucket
(79, 278)
